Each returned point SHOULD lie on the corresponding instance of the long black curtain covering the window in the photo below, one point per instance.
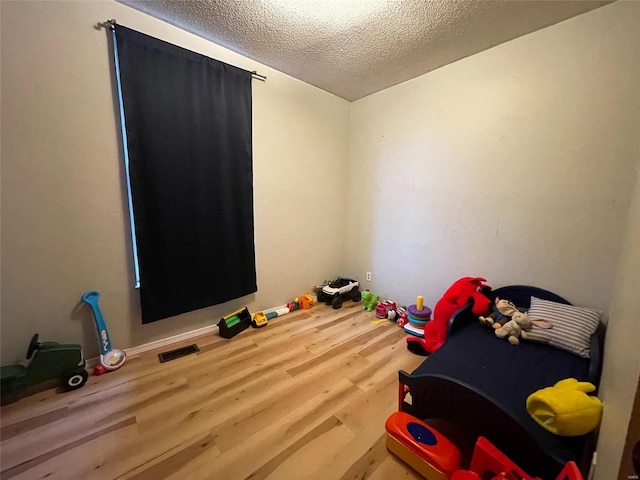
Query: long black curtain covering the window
(188, 132)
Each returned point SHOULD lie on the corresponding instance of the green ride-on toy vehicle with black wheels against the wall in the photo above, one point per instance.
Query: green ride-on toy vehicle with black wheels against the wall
(50, 360)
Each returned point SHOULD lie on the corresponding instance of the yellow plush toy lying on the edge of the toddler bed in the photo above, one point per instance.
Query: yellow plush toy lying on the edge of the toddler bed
(566, 409)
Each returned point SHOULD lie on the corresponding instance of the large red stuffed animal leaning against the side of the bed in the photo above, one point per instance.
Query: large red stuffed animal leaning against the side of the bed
(458, 294)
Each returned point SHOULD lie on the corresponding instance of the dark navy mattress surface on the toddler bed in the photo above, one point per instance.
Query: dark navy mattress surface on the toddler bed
(476, 358)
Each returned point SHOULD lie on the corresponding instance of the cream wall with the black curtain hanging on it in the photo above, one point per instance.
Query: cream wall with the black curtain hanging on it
(64, 224)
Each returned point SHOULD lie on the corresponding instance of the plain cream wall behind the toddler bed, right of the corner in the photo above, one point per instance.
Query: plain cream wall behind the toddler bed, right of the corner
(515, 164)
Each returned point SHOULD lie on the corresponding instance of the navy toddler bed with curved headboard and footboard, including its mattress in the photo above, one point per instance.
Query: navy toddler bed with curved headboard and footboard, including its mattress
(481, 383)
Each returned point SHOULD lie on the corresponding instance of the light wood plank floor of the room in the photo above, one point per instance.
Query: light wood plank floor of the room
(304, 398)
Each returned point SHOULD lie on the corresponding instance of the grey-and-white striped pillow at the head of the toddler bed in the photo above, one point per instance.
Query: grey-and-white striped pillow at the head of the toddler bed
(572, 326)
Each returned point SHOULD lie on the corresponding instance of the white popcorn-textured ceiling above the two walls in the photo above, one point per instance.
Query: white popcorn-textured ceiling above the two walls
(353, 48)
